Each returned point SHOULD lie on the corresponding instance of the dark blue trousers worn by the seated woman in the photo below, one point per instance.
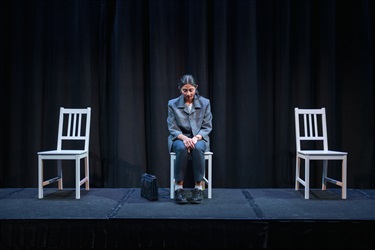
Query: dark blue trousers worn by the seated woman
(182, 158)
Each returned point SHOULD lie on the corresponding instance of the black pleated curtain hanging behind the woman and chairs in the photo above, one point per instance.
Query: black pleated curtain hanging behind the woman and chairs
(255, 60)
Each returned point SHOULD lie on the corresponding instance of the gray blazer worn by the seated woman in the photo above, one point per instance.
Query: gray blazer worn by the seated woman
(181, 121)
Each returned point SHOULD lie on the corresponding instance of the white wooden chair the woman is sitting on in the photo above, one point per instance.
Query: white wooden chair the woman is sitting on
(207, 179)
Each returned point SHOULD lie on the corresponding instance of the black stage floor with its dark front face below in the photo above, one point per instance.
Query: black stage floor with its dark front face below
(120, 218)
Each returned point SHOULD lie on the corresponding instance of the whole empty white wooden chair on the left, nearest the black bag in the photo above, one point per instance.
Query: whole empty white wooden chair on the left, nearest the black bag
(74, 125)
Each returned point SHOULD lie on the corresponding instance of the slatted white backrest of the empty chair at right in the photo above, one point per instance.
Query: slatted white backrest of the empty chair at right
(310, 125)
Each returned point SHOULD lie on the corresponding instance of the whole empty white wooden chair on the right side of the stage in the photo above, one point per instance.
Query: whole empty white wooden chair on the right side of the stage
(310, 125)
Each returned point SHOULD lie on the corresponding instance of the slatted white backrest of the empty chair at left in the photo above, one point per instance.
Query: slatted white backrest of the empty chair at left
(74, 125)
